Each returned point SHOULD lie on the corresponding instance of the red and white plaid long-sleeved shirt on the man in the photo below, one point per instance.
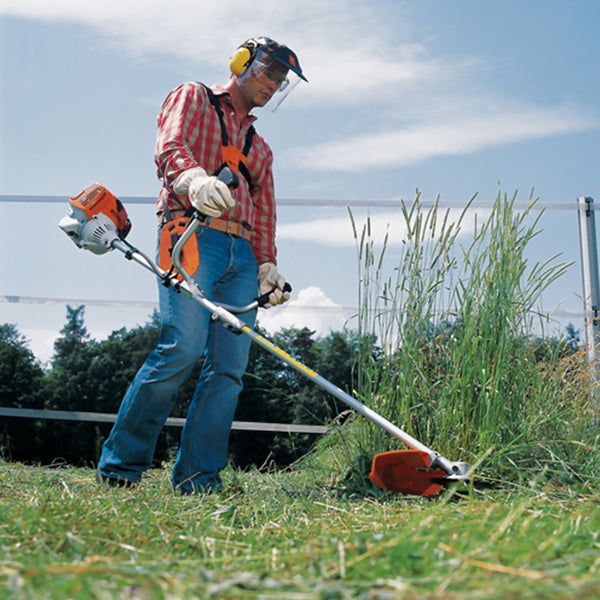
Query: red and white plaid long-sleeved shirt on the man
(189, 135)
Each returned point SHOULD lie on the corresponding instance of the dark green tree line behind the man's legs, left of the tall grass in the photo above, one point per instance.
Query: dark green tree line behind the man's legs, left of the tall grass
(91, 376)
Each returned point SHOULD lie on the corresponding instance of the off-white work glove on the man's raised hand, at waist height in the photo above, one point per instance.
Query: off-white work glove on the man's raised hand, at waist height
(207, 194)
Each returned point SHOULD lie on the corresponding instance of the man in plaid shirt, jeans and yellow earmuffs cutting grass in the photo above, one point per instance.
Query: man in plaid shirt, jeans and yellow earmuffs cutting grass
(200, 130)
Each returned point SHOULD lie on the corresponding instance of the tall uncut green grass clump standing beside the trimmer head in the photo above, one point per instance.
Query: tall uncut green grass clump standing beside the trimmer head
(465, 366)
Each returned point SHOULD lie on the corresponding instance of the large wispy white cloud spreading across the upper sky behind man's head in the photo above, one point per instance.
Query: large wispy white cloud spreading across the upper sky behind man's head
(352, 57)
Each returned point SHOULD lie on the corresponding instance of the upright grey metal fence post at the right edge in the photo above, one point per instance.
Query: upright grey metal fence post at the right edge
(591, 282)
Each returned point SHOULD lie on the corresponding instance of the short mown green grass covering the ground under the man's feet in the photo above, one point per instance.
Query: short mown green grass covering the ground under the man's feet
(292, 534)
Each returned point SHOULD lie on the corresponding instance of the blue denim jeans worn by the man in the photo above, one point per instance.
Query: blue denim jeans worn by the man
(227, 274)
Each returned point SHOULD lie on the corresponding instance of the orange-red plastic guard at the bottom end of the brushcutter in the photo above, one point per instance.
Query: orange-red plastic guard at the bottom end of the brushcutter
(406, 472)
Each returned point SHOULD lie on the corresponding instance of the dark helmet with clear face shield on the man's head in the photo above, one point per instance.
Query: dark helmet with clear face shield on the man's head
(279, 66)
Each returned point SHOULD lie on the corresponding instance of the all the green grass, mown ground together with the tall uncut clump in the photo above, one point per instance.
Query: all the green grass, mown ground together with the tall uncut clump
(470, 378)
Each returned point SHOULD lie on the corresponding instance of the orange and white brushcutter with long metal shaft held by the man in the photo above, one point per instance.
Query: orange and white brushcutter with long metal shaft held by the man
(97, 221)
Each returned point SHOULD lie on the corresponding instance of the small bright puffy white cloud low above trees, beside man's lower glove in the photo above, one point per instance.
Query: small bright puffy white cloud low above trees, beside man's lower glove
(312, 309)
